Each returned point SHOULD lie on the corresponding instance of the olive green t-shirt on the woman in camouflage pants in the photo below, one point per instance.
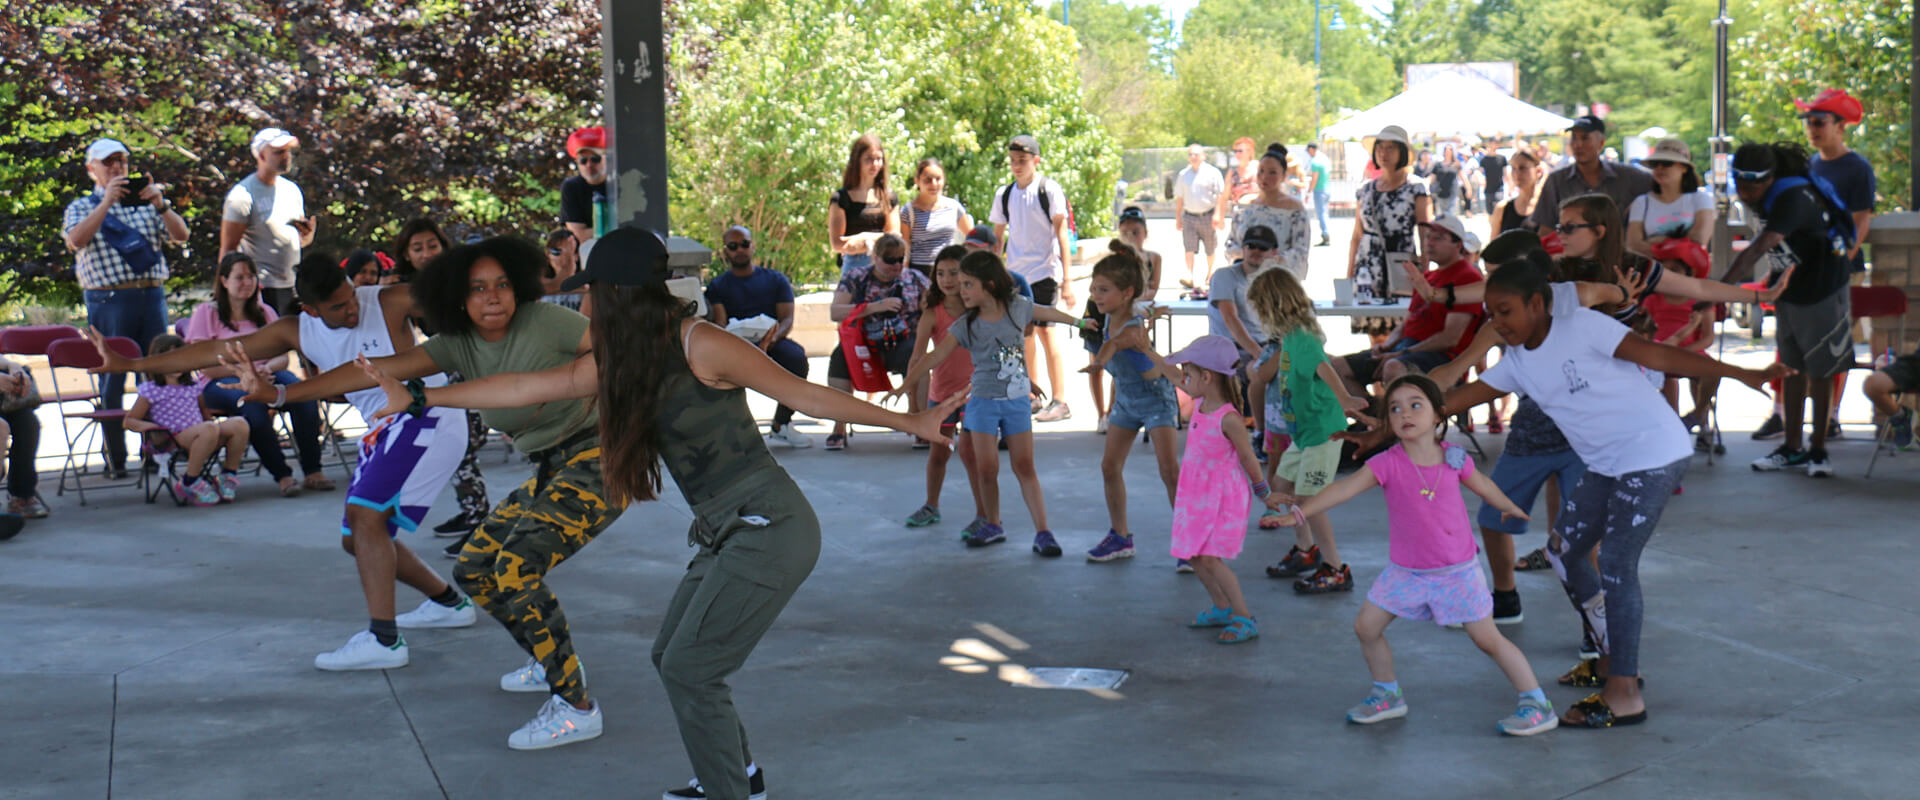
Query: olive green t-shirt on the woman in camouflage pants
(540, 339)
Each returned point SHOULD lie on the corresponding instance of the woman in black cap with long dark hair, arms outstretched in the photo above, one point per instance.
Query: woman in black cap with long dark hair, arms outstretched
(673, 390)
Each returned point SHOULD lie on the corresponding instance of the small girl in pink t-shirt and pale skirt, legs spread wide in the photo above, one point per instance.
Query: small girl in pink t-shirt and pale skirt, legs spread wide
(1431, 571)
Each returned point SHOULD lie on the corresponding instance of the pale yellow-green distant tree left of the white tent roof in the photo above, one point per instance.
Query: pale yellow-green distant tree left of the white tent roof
(1241, 87)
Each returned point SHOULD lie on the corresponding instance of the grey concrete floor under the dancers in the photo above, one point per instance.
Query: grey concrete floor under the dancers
(166, 653)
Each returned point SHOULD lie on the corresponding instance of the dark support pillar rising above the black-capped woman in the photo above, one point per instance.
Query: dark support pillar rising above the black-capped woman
(635, 78)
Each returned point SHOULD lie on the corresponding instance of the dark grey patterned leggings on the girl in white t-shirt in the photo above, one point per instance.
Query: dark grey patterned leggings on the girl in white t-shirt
(1620, 517)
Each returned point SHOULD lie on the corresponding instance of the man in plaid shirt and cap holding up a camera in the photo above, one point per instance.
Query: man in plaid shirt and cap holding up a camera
(116, 237)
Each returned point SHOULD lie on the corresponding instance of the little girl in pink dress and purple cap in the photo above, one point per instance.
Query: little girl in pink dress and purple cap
(1220, 479)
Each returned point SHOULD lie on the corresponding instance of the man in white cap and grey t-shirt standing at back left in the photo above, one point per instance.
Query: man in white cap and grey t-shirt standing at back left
(266, 218)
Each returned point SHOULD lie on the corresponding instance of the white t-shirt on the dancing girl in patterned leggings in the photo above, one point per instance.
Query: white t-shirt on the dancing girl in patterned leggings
(1616, 421)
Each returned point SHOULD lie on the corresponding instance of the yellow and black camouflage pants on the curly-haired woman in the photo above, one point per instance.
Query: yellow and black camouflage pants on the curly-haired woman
(540, 525)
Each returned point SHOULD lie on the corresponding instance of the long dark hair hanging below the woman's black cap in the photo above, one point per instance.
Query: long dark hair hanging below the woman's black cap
(636, 348)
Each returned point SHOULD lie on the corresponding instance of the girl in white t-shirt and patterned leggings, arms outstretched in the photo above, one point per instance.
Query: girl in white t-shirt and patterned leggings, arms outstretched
(1585, 371)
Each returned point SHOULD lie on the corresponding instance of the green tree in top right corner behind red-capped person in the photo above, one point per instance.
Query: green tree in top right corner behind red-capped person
(1812, 45)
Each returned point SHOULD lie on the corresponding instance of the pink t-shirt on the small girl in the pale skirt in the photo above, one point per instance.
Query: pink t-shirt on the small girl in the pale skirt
(1428, 521)
